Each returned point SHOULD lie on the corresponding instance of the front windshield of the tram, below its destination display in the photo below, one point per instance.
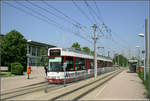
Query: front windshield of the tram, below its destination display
(55, 64)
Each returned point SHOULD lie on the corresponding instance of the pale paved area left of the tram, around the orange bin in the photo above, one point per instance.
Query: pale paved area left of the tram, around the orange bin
(37, 76)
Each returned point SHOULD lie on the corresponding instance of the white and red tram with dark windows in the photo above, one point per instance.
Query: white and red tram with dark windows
(79, 64)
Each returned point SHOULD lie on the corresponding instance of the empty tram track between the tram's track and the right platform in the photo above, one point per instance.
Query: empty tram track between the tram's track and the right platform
(81, 91)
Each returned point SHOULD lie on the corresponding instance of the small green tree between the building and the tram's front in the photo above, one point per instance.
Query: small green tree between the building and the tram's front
(43, 56)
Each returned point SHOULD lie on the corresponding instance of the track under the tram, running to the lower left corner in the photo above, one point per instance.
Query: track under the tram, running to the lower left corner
(29, 89)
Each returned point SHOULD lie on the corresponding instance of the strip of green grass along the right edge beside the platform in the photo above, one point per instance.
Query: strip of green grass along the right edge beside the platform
(145, 82)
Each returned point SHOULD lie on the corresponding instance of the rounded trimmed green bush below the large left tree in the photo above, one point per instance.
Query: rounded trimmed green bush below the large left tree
(16, 68)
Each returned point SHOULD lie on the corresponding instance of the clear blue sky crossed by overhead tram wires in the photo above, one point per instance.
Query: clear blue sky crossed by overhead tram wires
(125, 19)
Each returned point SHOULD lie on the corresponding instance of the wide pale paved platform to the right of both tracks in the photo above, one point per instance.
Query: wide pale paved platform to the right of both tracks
(125, 86)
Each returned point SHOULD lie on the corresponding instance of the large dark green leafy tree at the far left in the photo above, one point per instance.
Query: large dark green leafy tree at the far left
(13, 48)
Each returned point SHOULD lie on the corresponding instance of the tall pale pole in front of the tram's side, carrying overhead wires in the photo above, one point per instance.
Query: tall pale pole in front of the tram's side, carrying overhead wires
(95, 54)
